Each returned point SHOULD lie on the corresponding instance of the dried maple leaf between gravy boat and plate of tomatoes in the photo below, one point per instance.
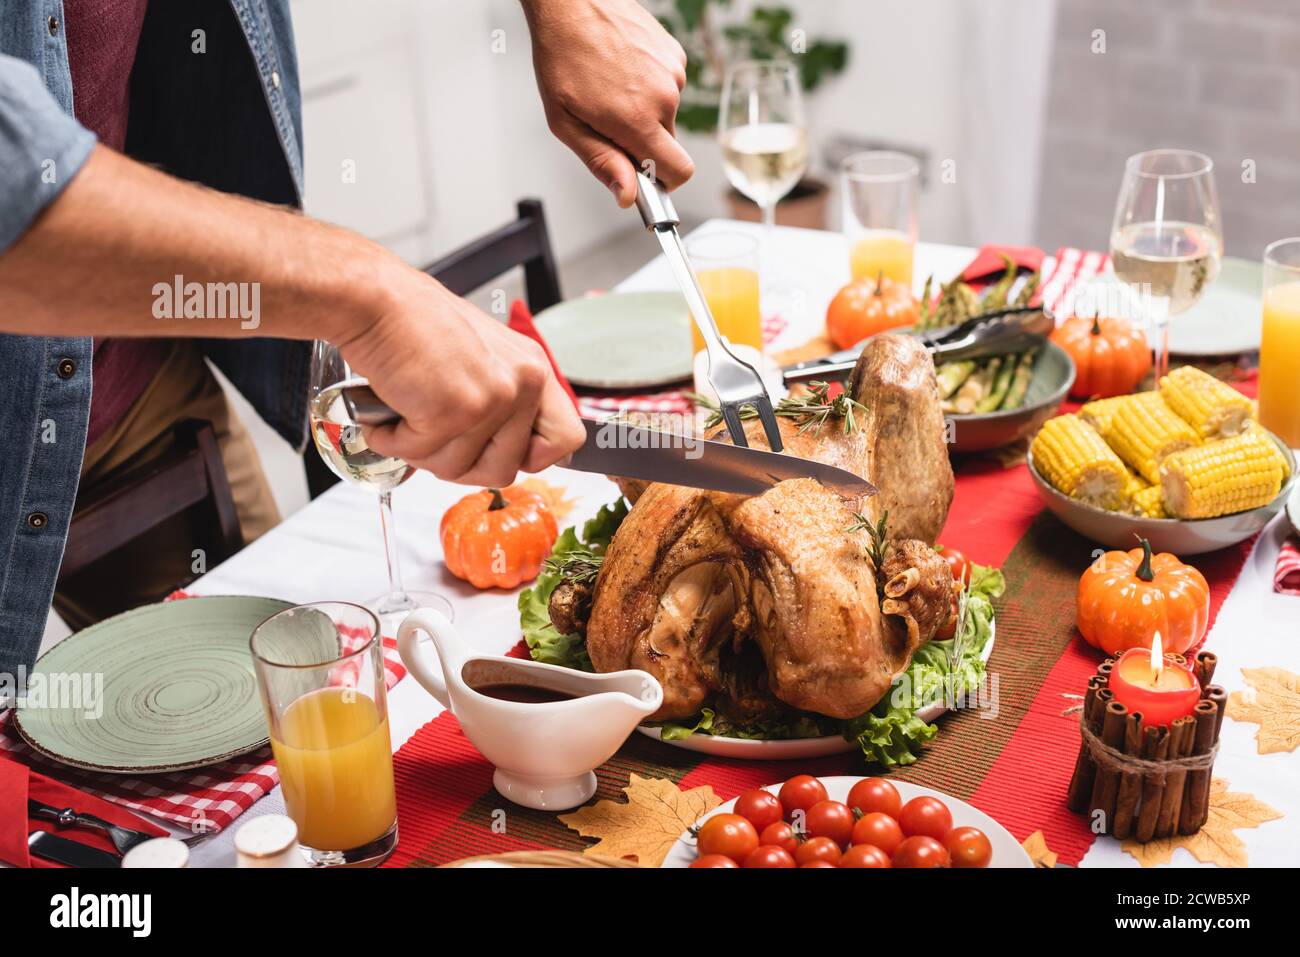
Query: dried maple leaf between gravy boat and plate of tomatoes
(651, 822)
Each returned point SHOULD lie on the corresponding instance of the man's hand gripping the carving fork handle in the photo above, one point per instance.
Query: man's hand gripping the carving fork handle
(612, 79)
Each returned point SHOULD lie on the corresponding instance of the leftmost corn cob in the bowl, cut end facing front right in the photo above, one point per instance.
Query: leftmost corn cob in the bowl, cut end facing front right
(1076, 460)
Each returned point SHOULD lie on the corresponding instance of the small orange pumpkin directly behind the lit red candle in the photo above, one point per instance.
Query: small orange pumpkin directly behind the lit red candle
(1125, 597)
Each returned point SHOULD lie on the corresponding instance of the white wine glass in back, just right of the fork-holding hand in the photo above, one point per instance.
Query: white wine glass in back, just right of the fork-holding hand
(761, 132)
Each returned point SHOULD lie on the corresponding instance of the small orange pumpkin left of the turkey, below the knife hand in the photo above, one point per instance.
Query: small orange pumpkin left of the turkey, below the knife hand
(499, 538)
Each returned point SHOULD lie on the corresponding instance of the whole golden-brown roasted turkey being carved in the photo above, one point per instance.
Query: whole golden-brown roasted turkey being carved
(757, 607)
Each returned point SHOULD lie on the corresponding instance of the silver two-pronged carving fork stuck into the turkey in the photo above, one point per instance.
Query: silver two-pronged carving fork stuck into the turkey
(736, 382)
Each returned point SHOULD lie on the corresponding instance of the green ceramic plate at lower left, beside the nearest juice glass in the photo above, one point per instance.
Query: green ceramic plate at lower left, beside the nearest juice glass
(179, 688)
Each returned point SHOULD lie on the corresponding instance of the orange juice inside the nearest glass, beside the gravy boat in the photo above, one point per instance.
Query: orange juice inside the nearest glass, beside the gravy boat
(336, 767)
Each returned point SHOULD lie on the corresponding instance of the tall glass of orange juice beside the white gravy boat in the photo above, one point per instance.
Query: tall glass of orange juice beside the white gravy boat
(320, 669)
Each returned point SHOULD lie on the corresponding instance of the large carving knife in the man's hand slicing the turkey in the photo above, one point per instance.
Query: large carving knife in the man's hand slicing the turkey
(616, 448)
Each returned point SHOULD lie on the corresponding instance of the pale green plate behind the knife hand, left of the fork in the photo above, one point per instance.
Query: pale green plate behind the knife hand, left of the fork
(621, 341)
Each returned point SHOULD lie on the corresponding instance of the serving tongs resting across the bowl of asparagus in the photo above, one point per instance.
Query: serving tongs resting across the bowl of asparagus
(1008, 331)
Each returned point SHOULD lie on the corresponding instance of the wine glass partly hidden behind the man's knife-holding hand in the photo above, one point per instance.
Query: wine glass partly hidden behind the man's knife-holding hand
(341, 444)
